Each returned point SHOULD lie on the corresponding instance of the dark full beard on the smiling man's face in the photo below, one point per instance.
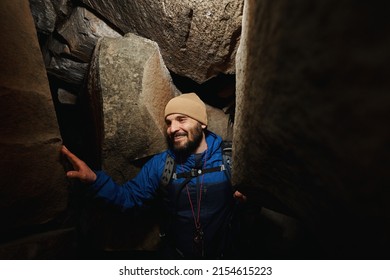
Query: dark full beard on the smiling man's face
(190, 145)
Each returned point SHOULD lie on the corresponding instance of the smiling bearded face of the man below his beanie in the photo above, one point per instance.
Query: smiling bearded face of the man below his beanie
(184, 133)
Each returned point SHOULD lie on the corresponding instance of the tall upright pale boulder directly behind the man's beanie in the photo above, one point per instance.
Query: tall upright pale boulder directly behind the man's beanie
(130, 82)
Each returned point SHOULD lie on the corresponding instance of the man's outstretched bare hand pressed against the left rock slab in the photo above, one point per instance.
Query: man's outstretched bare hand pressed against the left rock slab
(81, 169)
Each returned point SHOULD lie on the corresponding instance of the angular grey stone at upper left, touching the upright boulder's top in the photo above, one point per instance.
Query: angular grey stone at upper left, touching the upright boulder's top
(81, 32)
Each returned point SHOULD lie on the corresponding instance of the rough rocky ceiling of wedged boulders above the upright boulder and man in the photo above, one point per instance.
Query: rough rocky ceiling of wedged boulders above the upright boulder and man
(198, 39)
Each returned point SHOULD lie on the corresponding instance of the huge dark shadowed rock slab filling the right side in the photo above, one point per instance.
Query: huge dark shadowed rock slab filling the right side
(311, 121)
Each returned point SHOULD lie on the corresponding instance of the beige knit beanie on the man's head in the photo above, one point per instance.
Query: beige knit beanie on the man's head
(188, 104)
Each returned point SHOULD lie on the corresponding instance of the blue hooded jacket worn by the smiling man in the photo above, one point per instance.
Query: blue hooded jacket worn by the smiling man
(216, 199)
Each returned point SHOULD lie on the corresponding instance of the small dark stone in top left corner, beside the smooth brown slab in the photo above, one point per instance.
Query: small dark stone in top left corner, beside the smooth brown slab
(44, 15)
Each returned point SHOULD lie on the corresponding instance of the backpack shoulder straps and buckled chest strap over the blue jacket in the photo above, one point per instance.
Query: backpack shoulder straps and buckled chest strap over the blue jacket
(169, 168)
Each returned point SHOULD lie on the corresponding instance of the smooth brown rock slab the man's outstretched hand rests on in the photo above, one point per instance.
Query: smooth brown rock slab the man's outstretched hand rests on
(33, 189)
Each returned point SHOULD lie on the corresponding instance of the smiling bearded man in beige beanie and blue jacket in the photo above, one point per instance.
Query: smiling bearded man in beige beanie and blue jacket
(199, 198)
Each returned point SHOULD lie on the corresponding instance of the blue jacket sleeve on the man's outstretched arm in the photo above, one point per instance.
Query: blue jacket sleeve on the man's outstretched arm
(135, 191)
